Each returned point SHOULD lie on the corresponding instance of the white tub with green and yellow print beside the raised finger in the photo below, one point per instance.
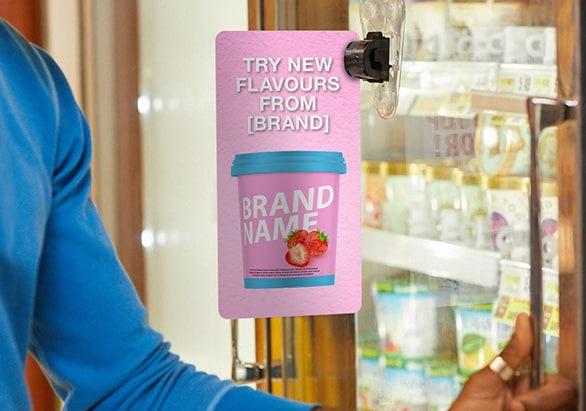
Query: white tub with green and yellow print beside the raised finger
(476, 340)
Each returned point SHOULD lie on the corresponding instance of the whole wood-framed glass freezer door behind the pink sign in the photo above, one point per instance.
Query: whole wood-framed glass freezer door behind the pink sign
(480, 103)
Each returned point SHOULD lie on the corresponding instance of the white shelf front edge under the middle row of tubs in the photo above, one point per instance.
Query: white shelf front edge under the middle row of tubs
(431, 257)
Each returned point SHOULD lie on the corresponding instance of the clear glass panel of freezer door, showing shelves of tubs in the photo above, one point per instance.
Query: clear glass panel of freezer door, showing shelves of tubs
(446, 211)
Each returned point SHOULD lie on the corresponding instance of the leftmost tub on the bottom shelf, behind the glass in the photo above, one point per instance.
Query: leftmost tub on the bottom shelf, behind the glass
(370, 378)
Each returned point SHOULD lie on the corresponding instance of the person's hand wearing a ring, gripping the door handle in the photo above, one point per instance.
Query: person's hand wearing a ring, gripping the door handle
(486, 391)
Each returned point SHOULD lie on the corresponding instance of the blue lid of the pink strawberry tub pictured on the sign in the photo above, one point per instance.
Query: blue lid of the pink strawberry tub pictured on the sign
(289, 162)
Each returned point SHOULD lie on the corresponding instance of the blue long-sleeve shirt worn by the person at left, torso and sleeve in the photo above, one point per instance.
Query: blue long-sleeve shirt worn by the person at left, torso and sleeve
(63, 293)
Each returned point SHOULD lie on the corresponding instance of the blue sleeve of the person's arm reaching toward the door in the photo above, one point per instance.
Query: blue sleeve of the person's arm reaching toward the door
(90, 331)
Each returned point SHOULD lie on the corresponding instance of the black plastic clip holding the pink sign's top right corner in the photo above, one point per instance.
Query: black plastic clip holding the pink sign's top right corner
(368, 59)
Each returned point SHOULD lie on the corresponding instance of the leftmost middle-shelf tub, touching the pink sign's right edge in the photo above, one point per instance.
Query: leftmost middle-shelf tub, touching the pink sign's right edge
(374, 195)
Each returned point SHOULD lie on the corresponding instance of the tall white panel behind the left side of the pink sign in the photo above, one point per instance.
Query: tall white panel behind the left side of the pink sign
(178, 118)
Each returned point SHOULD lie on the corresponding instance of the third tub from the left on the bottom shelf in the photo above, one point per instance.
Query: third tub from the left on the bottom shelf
(441, 383)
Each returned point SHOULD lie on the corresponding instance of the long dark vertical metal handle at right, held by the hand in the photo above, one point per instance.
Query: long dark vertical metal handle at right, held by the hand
(542, 113)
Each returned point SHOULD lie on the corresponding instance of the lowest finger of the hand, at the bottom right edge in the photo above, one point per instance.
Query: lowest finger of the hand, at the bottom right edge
(549, 397)
